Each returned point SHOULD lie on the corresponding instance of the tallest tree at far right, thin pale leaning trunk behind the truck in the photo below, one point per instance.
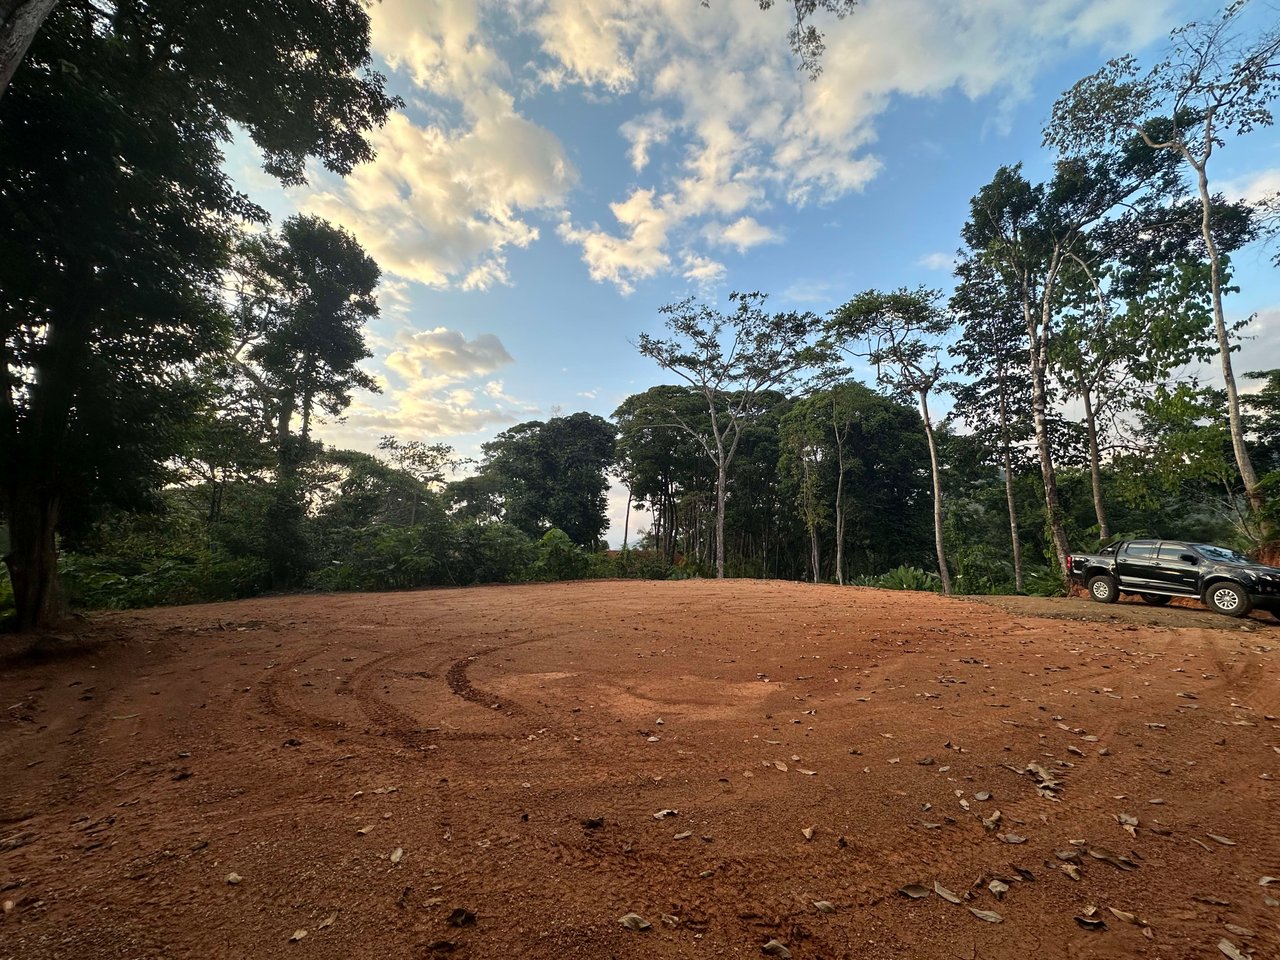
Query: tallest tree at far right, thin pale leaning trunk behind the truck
(1219, 77)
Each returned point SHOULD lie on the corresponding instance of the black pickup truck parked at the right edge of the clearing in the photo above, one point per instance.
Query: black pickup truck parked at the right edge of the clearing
(1159, 570)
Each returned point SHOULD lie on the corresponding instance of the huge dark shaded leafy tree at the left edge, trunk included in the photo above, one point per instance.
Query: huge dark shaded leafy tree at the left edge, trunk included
(116, 225)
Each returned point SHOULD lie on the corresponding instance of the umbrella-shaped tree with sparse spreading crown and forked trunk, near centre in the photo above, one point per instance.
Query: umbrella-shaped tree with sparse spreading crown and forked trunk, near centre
(730, 360)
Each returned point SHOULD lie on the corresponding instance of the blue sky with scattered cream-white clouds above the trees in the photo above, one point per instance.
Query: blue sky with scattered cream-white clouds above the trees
(564, 168)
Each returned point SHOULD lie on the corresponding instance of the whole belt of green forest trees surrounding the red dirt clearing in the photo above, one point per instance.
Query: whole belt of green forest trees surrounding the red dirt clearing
(167, 353)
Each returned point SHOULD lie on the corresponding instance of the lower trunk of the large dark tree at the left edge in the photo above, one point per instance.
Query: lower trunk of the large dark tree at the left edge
(33, 559)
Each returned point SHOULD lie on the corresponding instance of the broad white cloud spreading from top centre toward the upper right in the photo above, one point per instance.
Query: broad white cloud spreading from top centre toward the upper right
(755, 132)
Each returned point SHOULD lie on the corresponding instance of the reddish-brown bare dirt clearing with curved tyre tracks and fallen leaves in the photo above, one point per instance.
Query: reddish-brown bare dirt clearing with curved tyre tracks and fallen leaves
(506, 772)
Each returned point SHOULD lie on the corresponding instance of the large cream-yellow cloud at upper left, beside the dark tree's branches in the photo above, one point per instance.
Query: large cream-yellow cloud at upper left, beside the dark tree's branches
(446, 199)
